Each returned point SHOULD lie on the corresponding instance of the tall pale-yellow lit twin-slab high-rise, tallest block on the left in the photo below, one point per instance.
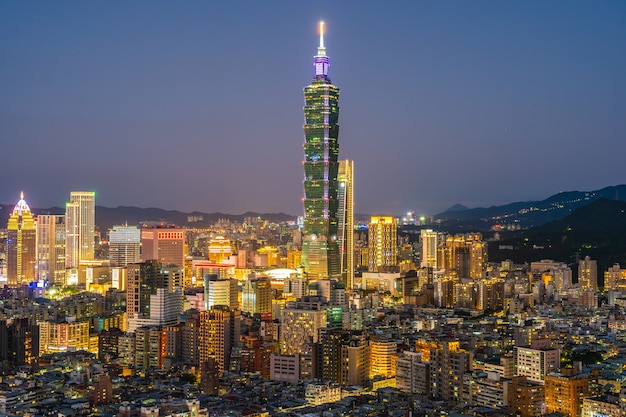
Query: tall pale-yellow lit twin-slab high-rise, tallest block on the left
(80, 226)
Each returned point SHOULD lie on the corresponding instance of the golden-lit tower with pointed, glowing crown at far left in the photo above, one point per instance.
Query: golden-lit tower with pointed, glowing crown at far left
(21, 245)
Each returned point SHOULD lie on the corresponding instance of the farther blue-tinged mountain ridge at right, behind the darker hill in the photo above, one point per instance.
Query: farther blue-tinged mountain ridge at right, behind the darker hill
(530, 213)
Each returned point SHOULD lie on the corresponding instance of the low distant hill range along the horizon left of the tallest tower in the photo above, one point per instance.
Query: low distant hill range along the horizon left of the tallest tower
(106, 217)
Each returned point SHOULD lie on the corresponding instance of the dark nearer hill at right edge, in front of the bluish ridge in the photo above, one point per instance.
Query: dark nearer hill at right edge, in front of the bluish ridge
(597, 230)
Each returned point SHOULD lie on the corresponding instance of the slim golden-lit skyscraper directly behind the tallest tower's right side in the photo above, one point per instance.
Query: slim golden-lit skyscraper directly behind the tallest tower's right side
(345, 213)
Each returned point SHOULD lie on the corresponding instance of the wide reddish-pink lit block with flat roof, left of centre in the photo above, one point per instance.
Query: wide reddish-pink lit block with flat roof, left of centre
(163, 243)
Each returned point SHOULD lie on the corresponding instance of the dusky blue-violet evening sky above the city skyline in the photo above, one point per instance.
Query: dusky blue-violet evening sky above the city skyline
(197, 105)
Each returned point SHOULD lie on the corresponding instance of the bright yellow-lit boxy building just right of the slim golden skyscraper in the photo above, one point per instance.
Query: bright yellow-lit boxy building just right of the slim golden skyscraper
(383, 243)
